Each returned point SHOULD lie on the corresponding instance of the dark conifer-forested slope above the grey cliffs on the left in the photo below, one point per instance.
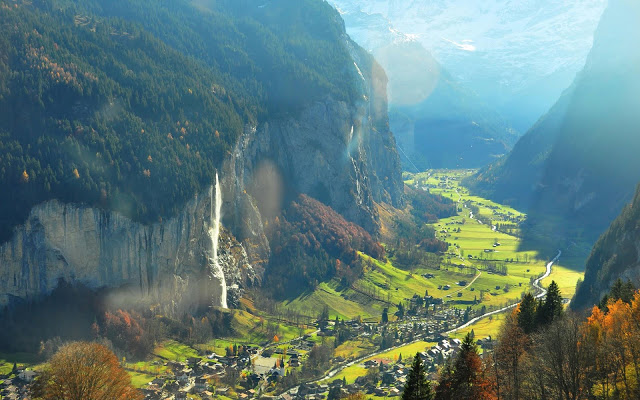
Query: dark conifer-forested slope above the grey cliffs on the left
(132, 105)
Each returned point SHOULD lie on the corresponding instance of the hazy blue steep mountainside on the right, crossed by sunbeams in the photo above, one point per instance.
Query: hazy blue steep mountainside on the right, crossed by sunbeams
(577, 167)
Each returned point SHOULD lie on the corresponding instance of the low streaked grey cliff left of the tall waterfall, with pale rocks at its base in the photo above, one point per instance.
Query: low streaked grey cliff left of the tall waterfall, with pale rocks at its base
(165, 263)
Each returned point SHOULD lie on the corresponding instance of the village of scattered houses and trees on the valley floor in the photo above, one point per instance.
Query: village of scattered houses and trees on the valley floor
(252, 371)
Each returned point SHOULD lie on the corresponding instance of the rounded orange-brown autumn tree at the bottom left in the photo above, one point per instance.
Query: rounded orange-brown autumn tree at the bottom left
(84, 371)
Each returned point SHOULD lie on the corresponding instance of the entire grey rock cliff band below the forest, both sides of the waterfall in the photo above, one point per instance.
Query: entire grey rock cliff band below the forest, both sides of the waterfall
(339, 153)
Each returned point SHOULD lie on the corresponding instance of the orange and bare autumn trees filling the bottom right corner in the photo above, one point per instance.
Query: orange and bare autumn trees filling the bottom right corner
(573, 358)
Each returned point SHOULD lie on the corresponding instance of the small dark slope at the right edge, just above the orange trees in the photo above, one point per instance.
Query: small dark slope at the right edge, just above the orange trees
(616, 255)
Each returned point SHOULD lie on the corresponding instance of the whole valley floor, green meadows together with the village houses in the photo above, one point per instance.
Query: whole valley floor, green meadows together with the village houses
(483, 270)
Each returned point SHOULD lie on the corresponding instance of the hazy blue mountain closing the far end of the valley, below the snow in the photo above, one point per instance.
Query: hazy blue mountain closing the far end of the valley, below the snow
(438, 122)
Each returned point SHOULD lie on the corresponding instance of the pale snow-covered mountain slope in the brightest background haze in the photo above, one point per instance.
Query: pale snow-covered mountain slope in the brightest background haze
(518, 56)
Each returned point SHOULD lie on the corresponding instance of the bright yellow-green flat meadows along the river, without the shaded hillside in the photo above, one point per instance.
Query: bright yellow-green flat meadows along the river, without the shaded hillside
(474, 238)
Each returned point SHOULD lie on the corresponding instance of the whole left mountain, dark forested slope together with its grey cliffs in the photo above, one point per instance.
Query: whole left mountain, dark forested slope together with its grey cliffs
(122, 113)
